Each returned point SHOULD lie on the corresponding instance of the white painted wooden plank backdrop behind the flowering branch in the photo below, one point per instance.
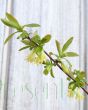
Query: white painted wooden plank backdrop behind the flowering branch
(26, 88)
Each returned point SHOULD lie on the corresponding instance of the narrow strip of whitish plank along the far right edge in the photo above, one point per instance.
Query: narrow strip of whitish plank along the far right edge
(86, 48)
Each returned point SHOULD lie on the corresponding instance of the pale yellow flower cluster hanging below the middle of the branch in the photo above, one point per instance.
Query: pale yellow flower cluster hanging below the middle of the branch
(37, 59)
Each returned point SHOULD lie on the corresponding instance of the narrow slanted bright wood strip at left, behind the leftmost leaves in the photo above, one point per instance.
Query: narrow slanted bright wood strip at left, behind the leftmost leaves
(5, 60)
